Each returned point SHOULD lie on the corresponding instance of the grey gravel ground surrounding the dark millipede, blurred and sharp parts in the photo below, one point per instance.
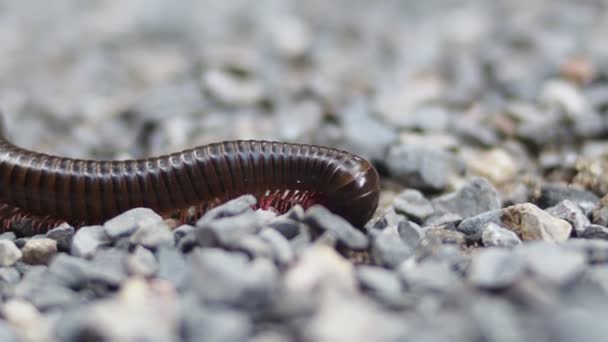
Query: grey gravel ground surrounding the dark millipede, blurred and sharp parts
(486, 119)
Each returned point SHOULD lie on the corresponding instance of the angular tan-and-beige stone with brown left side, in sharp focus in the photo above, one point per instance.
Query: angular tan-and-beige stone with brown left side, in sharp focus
(532, 223)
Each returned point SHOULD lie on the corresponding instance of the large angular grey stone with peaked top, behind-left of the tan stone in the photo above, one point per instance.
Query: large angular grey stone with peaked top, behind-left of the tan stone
(475, 197)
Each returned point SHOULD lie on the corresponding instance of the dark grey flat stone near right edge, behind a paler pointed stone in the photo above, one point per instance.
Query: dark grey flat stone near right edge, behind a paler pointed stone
(552, 194)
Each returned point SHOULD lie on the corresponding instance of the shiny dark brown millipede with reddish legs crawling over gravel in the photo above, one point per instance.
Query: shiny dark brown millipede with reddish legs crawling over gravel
(42, 190)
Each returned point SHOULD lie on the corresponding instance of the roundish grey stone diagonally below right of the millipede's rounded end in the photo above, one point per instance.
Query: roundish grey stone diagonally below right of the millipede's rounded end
(387, 248)
